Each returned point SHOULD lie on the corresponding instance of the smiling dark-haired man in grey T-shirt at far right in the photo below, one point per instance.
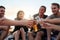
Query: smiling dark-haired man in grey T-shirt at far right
(54, 19)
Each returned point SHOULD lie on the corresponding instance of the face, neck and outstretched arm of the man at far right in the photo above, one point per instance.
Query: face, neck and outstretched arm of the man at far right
(55, 11)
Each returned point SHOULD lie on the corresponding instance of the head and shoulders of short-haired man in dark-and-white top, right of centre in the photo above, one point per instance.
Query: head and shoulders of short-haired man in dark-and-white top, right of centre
(41, 13)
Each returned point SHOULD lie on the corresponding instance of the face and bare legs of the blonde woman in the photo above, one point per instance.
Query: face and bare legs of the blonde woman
(21, 31)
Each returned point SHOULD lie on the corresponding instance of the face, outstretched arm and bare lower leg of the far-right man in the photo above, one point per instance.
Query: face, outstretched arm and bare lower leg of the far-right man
(55, 11)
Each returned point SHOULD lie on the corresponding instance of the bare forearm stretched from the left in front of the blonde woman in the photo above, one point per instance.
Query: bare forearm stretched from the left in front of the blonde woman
(7, 22)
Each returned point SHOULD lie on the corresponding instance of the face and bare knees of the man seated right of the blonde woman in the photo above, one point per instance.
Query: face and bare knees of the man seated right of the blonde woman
(39, 34)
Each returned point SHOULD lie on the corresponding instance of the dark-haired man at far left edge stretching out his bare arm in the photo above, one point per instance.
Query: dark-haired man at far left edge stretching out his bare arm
(4, 23)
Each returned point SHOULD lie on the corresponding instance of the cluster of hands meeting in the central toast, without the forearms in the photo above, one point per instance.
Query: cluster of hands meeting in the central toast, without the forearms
(30, 23)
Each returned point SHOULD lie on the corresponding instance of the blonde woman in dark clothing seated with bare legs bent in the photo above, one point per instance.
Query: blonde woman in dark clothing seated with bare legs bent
(20, 30)
